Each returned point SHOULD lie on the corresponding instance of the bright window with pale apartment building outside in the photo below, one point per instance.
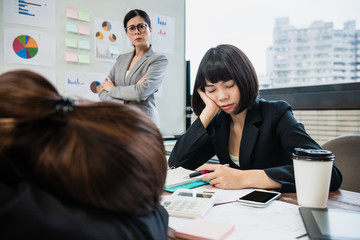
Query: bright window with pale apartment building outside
(273, 34)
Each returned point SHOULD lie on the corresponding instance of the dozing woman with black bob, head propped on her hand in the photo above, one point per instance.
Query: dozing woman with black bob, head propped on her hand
(254, 136)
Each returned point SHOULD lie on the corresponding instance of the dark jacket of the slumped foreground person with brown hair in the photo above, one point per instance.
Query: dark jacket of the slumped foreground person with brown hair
(26, 211)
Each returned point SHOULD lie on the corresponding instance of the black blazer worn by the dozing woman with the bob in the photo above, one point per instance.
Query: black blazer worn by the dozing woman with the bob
(269, 137)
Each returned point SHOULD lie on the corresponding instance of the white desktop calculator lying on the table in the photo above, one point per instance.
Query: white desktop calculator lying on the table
(189, 203)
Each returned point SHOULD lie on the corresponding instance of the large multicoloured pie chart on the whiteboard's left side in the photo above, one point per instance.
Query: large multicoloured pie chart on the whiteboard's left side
(25, 46)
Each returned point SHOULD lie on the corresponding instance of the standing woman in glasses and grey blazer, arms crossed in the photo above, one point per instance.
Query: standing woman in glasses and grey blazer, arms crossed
(136, 75)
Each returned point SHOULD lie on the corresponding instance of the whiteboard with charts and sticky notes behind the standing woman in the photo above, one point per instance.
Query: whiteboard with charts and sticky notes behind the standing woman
(170, 100)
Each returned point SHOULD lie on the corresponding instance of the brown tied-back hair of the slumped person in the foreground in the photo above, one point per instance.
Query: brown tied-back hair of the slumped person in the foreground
(101, 154)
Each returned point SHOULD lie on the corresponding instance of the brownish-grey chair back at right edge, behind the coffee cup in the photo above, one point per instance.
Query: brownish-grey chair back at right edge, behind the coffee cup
(346, 149)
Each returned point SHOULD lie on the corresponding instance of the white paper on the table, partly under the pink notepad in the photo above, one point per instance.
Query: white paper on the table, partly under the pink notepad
(279, 220)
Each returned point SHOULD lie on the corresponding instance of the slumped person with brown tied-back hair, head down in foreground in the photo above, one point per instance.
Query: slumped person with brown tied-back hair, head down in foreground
(69, 171)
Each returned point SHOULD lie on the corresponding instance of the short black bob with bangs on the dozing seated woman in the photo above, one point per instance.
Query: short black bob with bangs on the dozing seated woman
(223, 63)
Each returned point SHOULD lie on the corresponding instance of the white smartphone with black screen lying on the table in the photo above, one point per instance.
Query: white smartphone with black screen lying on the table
(259, 198)
